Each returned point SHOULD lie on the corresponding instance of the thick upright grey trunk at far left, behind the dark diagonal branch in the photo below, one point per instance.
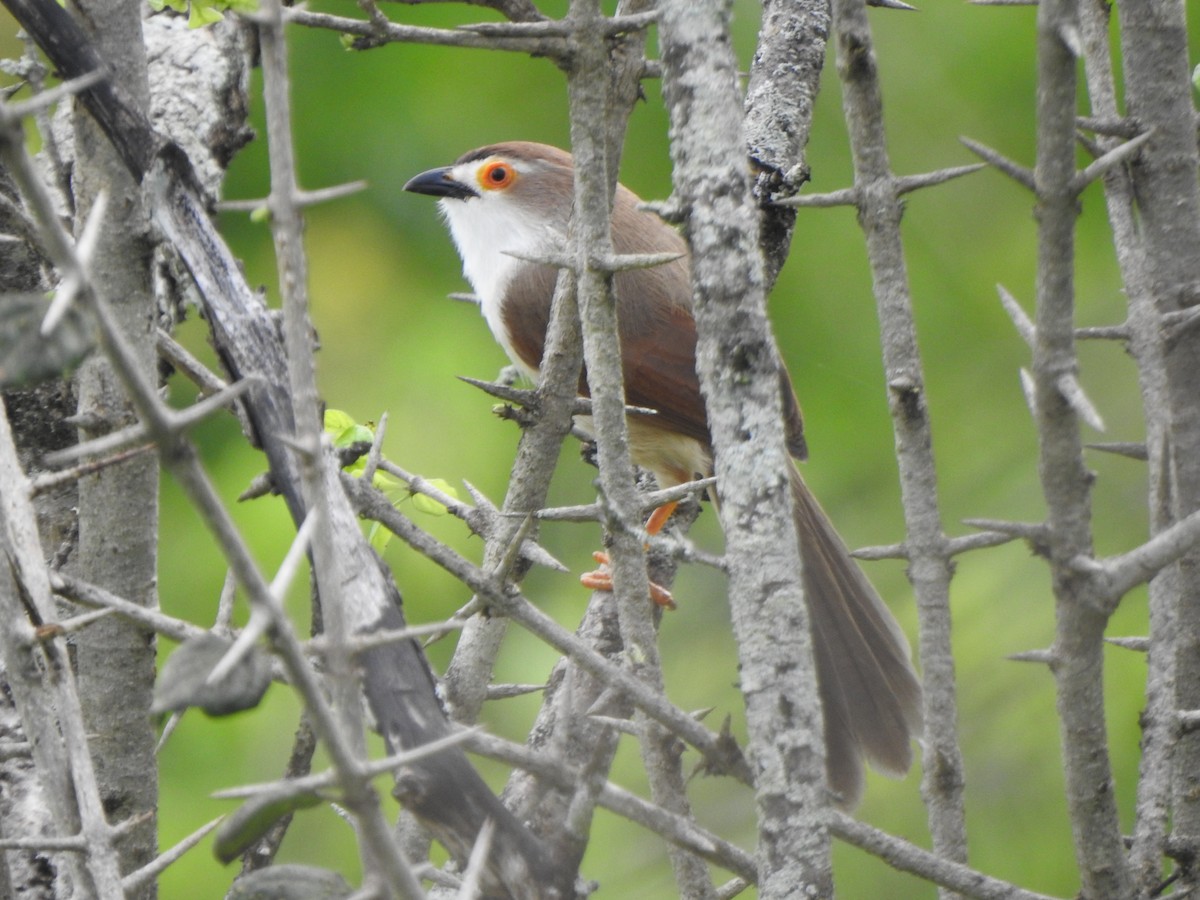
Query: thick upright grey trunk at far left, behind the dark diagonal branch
(119, 507)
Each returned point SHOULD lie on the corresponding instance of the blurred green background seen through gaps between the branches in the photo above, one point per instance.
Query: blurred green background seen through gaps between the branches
(392, 343)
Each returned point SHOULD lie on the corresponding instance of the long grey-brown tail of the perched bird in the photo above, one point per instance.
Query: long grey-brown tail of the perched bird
(869, 692)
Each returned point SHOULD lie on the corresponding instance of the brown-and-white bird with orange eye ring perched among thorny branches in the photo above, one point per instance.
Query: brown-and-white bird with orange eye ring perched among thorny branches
(511, 203)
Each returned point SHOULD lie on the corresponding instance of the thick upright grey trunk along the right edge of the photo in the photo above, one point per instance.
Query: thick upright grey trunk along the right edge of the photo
(1155, 51)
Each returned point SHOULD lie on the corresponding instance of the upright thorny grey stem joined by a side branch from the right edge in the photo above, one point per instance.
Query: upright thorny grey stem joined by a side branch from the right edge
(1066, 483)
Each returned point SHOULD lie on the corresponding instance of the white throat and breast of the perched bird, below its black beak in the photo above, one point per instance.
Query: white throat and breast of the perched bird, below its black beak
(488, 231)
